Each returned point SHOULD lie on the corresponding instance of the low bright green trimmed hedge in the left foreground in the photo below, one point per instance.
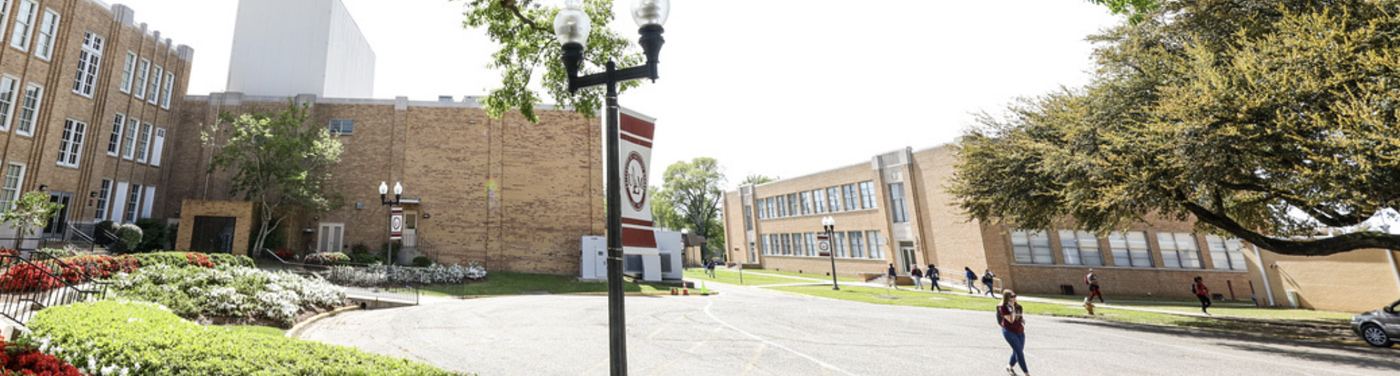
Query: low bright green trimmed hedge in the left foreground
(149, 340)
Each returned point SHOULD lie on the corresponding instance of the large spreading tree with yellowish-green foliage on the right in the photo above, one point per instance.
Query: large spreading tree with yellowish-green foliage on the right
(1275, 122)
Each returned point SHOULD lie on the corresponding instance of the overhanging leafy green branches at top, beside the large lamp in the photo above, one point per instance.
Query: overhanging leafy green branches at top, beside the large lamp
(524, 31)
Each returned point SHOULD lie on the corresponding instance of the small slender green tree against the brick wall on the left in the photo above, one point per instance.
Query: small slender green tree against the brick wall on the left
(279, 161)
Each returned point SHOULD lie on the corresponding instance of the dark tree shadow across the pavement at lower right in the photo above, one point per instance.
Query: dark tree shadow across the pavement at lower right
(1357, 356)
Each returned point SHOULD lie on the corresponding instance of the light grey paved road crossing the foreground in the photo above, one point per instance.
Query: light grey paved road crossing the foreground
(758, 332)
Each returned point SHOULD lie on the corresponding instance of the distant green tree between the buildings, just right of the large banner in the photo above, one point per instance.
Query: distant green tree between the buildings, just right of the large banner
(692, 189)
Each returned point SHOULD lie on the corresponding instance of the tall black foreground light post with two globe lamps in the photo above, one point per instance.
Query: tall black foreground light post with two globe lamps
(572, 27)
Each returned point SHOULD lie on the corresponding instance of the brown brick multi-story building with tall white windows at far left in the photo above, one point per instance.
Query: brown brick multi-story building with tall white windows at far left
(87, 110)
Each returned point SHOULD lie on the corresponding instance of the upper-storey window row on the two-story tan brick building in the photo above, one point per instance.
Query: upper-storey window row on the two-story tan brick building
(857, 196)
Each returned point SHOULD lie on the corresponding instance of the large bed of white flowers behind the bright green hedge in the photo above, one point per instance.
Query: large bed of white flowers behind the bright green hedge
(229, 291)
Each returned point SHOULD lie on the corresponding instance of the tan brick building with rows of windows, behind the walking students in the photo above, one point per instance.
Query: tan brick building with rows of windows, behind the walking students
(895, 210)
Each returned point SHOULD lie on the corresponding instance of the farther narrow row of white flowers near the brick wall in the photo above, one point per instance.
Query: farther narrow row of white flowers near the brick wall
(379, 275)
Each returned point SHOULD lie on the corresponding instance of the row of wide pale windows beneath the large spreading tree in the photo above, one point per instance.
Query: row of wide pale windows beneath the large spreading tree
(1129, 250)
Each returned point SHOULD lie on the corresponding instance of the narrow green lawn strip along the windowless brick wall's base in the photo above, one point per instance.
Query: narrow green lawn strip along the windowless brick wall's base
(507, 283)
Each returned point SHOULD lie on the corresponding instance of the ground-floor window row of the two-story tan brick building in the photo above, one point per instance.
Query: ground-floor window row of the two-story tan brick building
(848, 245)
